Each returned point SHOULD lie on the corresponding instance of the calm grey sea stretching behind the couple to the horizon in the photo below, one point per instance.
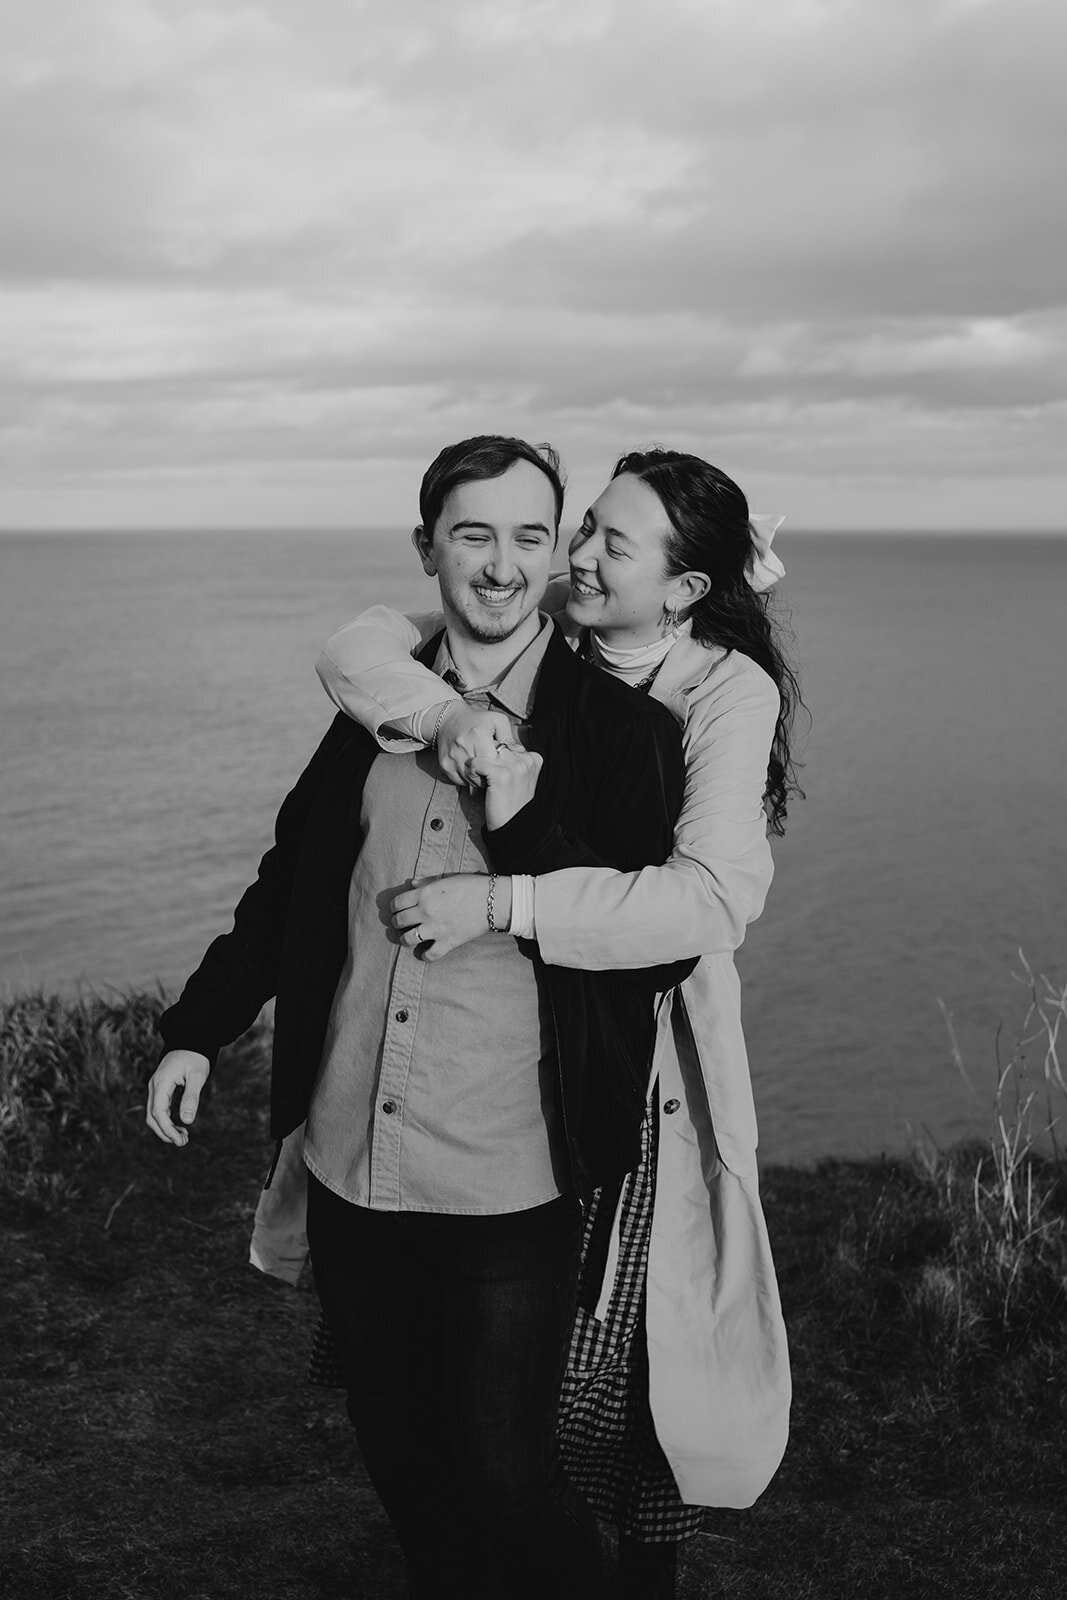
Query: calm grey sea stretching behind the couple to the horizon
(158, 700)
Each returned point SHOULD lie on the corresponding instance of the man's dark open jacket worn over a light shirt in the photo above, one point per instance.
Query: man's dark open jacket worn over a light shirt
(609, 794)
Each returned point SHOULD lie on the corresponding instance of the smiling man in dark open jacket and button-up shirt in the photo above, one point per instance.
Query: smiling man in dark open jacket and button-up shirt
(458, 1111)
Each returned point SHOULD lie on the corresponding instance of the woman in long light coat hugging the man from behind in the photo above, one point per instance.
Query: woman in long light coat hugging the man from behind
(677, 1393)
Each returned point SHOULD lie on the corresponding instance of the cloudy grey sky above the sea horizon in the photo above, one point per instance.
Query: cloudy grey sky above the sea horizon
(263, 258)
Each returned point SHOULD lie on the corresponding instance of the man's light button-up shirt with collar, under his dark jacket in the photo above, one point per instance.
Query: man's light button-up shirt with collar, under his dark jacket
(438, 1084)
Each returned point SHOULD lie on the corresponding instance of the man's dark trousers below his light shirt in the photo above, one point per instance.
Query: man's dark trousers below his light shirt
(454, 1334)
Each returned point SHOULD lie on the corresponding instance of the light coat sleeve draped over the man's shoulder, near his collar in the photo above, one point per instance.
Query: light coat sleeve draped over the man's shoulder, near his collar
(369, 673)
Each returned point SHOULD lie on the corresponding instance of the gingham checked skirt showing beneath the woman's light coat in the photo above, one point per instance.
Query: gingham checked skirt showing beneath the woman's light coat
(607, 1439)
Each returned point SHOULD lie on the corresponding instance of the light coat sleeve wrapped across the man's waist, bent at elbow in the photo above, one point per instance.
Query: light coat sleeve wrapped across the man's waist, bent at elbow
(721, 870)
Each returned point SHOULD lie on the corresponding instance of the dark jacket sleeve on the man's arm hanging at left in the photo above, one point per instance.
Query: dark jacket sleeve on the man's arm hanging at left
(239, 972)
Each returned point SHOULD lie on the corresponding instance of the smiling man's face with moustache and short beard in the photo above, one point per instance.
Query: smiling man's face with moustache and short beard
(492, 553)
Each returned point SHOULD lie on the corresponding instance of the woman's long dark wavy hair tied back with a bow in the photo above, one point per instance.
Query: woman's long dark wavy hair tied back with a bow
(709, 534)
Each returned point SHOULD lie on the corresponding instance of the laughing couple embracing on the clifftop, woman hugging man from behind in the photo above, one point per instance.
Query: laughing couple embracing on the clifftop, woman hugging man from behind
(500, 919)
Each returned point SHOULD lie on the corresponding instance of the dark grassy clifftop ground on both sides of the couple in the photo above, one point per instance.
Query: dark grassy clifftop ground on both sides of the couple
(159, 1441)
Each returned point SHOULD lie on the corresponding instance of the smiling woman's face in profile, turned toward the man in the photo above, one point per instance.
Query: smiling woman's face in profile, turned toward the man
(618, 583)
